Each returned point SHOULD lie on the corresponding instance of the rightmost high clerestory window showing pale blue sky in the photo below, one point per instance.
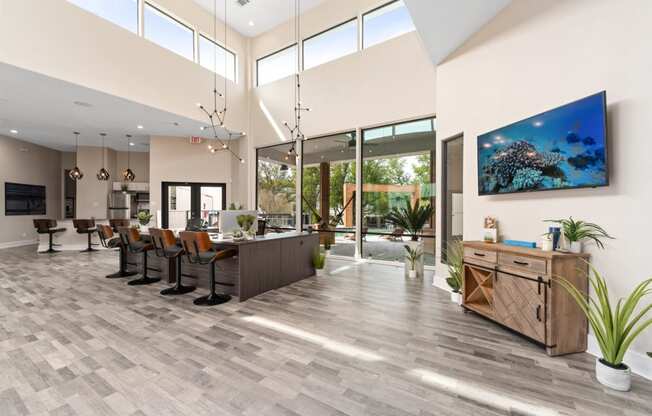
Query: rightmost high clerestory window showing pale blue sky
(386, 22)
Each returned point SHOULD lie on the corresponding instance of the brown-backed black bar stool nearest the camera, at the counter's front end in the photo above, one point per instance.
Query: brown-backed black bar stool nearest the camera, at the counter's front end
(197, 246)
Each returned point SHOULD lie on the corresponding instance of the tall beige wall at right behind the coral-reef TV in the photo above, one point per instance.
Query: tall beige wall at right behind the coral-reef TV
(537, 55)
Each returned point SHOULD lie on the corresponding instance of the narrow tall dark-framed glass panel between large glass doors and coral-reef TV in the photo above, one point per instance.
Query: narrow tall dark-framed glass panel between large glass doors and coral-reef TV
(452, 192)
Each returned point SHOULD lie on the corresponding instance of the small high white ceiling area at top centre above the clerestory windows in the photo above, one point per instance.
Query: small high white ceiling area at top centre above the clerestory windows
(264, 14)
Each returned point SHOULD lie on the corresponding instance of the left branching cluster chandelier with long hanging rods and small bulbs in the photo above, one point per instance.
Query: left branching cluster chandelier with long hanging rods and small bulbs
(217, 118)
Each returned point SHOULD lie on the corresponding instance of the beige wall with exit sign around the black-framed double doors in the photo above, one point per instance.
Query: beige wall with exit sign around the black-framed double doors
(174, 159)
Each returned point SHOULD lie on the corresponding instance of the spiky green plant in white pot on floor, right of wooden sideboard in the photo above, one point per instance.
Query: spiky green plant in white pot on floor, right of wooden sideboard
(615, 328)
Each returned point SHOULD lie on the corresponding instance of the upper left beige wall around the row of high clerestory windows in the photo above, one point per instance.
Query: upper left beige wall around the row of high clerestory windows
(87, 50)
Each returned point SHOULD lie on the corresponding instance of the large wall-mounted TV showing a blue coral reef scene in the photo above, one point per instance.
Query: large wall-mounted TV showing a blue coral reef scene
(560, 149)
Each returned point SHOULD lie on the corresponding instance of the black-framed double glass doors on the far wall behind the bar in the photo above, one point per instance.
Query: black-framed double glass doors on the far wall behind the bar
(198, 203)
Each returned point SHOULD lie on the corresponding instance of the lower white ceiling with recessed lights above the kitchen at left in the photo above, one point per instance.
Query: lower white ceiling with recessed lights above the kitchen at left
(44, 112)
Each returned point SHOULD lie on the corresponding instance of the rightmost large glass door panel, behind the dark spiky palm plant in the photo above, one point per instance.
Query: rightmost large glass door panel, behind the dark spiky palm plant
(398, 169)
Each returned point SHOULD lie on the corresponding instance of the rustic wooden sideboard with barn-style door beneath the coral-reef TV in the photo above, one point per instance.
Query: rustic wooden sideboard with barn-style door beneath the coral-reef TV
(516, 287)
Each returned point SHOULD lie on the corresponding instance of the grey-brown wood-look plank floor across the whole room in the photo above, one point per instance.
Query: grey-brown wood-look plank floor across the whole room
(360, 341)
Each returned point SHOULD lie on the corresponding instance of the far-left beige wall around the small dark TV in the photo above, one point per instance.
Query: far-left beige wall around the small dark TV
(23, 162)
